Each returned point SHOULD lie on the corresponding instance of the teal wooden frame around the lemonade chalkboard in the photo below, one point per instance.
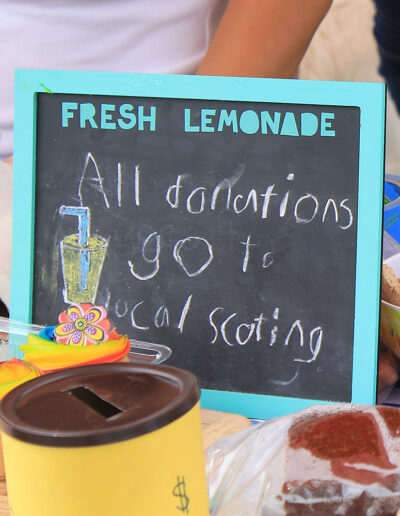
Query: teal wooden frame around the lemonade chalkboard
(370, 98)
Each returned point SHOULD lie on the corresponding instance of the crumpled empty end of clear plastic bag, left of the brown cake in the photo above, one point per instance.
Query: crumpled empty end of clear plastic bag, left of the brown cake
(242, 470)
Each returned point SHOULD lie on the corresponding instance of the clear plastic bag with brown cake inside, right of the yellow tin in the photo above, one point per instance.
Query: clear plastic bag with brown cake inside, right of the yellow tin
(324, 460)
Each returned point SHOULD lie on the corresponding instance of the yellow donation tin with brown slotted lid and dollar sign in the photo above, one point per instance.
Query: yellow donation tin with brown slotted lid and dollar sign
(105, 439)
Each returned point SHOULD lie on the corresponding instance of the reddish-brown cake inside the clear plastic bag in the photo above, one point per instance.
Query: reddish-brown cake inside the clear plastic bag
(344, 461)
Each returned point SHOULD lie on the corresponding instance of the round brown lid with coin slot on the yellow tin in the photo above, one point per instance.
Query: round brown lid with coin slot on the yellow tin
(97, 404)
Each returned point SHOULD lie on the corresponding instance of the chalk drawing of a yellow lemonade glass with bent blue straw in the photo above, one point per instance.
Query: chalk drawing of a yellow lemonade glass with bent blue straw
(82, 258)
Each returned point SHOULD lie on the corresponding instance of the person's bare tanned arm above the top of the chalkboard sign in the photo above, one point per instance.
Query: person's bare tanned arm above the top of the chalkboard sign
(263, 38)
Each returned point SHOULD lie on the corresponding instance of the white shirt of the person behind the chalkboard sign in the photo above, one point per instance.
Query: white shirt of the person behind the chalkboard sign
(155, 36)
